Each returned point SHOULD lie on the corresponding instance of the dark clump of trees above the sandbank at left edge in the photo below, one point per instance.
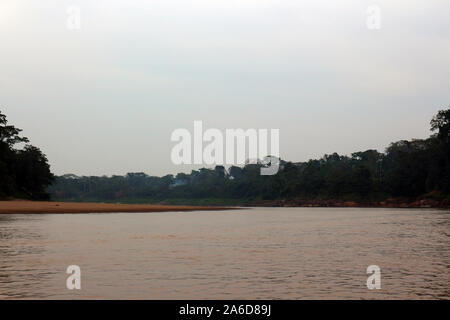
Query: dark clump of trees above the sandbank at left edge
(24, 172)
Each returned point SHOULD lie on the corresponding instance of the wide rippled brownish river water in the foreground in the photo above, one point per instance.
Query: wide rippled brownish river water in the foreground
(264, 253)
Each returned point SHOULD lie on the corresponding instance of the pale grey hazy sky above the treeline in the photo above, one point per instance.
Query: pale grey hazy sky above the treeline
(104, 99)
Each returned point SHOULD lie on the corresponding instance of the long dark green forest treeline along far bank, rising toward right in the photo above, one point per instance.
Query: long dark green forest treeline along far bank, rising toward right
(407, 169)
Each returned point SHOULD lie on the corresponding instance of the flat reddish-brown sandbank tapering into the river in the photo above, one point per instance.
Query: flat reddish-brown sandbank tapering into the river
(23, 206)
